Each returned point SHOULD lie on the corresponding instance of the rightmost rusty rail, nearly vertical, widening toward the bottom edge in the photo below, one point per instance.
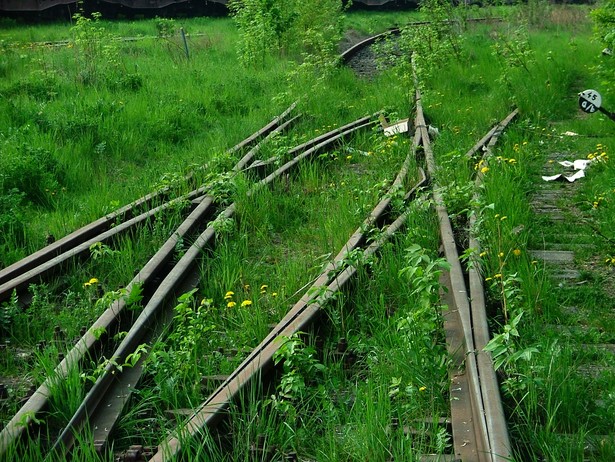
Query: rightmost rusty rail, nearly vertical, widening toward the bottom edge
(468, 331)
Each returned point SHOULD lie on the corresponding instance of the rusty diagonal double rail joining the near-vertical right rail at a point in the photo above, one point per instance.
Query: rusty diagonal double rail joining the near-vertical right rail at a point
(332, 279)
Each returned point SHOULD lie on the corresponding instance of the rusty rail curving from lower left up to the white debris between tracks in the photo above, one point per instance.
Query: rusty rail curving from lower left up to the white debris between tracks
(112, 377)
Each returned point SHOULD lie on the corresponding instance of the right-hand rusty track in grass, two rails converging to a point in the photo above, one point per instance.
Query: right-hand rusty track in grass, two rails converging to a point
(477, 420)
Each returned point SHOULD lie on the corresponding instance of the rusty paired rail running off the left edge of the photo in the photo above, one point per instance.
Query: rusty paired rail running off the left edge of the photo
(88, 233)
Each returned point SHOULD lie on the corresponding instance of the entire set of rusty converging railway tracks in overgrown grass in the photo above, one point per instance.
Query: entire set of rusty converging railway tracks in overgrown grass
(476, 419)
